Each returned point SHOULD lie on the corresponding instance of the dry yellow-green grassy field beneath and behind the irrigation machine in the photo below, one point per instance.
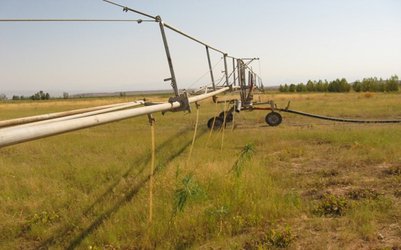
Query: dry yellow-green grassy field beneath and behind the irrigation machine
(306, 184)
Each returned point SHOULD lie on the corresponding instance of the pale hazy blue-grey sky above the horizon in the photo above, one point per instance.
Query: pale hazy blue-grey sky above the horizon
(296, 40)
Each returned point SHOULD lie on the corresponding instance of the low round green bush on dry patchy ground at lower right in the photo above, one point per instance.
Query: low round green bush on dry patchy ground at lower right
(332, 206)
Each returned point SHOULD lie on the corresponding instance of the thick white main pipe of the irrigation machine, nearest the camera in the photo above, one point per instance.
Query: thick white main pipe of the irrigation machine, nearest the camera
(18, 134)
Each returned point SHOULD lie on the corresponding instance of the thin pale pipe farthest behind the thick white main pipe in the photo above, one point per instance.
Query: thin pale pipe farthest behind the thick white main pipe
(23, 120)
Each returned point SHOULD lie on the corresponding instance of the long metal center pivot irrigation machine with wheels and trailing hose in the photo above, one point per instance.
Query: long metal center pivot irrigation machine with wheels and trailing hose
(242, 80)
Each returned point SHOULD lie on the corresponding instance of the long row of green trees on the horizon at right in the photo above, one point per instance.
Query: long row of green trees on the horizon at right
(372, 84)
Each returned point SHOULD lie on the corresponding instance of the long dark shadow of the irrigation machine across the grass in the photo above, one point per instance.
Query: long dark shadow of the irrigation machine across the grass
(128, 195)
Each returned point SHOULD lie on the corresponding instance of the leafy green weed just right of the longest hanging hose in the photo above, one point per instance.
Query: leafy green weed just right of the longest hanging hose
(188, 190)
